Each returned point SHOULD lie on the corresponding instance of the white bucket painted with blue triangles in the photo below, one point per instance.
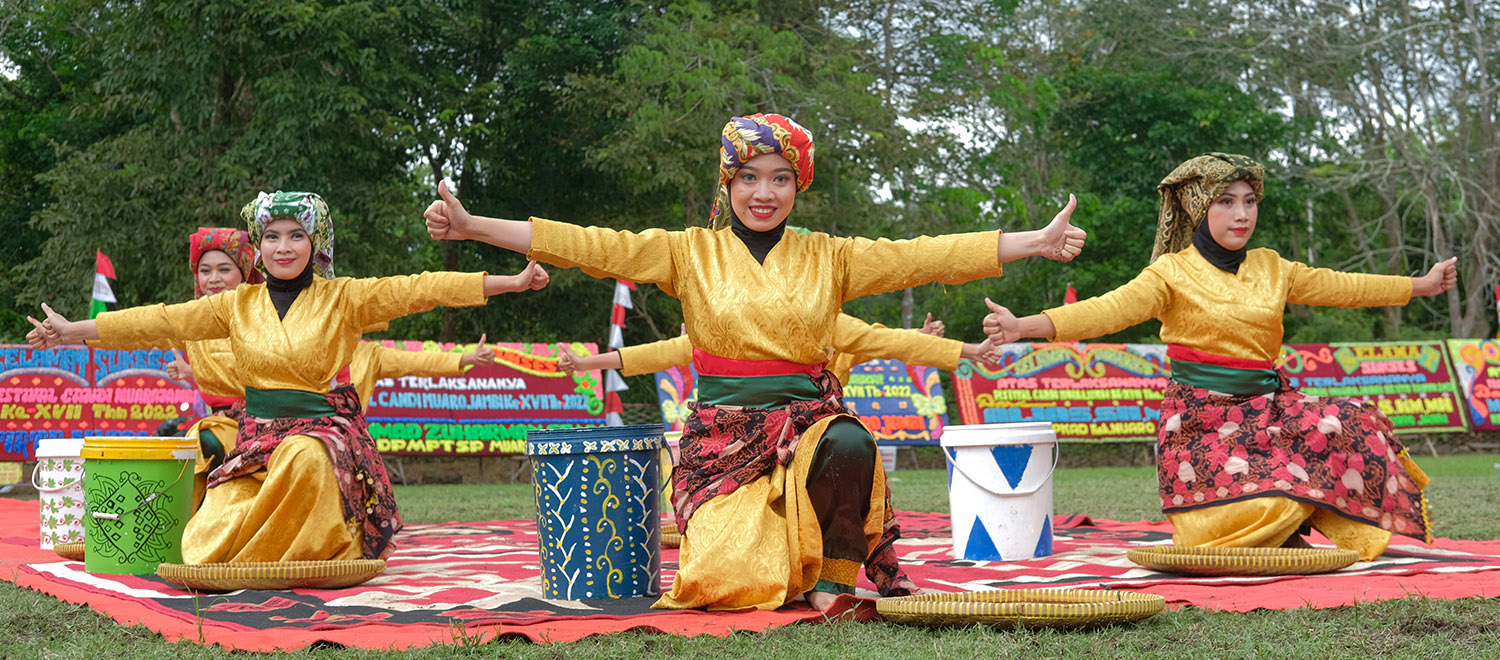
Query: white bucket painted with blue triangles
(1000, 490)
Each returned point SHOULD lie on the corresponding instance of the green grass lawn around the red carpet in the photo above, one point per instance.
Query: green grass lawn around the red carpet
(1465, 494)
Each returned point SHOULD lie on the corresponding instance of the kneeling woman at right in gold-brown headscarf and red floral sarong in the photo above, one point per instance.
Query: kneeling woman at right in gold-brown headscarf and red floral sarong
(1244, 460)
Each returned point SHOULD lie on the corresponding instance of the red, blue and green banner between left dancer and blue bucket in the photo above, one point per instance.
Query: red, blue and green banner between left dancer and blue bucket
(487, 412)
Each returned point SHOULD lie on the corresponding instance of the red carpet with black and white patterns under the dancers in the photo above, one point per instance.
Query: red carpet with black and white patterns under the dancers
(466, 580)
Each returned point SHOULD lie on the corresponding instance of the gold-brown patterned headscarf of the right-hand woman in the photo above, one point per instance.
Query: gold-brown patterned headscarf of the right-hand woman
(1189, 191)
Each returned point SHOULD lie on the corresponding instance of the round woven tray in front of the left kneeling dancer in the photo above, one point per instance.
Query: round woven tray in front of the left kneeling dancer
(272, 575)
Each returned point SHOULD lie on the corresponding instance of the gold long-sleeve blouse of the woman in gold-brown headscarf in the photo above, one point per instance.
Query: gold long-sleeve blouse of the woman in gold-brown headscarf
(1225, 314)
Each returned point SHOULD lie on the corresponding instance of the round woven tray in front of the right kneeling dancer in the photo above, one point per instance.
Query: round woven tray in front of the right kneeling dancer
(1243, 562)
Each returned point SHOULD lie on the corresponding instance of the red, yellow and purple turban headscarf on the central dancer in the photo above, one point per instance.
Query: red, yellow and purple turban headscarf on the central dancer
(749, 137)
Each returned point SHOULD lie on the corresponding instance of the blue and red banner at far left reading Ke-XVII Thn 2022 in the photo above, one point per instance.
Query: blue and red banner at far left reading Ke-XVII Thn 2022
(76, 392)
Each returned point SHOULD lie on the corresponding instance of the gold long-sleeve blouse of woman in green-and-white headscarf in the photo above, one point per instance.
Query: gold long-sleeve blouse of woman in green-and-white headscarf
(319, 337)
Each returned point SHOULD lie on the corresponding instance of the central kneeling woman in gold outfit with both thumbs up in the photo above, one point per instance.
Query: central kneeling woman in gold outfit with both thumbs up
(778, 487)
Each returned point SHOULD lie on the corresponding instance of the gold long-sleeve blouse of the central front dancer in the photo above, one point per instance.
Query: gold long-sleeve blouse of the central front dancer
(785, 310)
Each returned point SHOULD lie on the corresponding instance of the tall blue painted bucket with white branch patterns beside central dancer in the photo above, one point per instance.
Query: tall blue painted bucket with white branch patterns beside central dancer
(599, 511)
